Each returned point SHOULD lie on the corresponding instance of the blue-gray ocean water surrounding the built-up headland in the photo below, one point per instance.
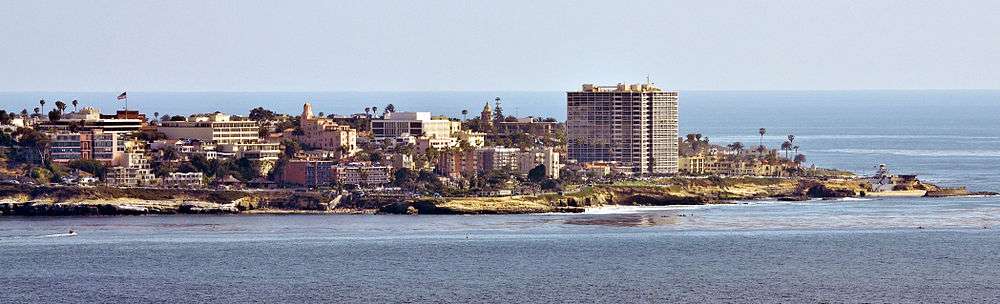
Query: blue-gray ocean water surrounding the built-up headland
(882, 250)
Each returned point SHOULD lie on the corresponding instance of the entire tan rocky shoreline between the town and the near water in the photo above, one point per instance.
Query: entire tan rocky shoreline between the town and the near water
(20, 200)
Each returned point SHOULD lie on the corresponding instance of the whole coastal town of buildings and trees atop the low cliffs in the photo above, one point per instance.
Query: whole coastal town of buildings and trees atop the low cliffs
(620, 131)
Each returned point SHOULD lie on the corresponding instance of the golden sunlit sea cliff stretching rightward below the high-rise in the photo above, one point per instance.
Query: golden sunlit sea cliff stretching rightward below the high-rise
(668, 191)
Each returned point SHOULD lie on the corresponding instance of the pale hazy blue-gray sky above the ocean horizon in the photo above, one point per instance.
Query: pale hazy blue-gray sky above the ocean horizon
(496, 45)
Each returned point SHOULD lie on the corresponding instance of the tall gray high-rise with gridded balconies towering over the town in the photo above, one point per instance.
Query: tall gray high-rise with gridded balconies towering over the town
(634, 125)
